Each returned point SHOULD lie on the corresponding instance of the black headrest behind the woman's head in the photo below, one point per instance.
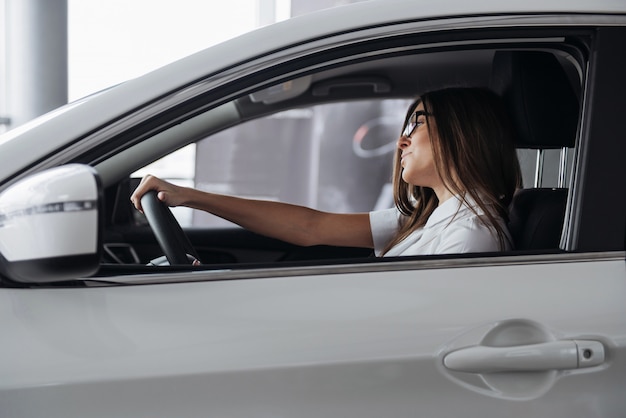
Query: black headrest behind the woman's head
(543, 105)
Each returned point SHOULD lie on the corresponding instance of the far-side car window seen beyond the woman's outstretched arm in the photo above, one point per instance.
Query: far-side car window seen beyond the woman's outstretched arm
(333, 157)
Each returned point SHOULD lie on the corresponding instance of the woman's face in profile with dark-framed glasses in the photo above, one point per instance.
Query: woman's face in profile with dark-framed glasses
(418, 165)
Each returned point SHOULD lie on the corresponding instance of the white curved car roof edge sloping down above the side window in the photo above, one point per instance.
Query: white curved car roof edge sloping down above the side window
(50, 133)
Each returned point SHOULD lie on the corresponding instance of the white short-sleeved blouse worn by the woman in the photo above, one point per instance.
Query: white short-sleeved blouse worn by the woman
(452, 228)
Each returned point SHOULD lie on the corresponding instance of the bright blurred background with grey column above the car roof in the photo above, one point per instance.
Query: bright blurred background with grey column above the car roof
(56, 51)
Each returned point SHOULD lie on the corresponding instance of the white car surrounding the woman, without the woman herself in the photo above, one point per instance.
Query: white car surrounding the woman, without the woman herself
(94, 324)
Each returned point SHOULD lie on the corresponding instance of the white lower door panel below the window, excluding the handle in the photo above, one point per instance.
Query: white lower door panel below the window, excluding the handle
(359, 344)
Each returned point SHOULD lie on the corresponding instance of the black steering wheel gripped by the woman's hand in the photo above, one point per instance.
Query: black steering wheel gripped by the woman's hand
(168, 232)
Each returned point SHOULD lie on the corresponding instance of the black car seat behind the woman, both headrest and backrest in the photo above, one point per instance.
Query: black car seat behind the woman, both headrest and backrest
(544, 108)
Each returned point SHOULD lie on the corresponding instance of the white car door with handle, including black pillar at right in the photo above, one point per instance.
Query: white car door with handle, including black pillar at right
(519, 334)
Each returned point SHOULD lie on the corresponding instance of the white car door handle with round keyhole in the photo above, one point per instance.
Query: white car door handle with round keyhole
(553, 355)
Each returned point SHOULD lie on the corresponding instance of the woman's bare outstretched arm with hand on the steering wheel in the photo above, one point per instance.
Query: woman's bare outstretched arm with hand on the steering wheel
(291, 223)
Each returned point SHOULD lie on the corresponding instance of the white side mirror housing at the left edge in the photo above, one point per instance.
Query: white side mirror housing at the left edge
(50, 225)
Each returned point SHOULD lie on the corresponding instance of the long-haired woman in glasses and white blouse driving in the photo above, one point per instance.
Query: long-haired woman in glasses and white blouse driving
(455, 174)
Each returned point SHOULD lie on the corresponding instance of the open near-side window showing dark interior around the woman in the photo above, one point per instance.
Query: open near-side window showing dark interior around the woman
(329, 145)
